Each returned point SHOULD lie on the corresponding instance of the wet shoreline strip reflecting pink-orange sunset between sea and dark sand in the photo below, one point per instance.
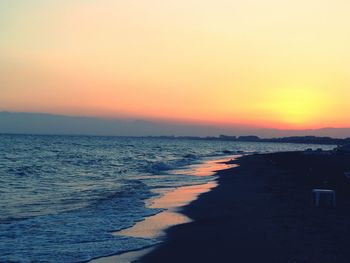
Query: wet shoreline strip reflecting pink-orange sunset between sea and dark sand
(172, 203)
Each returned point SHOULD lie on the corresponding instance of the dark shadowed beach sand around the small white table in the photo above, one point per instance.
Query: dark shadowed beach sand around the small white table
(262, 212)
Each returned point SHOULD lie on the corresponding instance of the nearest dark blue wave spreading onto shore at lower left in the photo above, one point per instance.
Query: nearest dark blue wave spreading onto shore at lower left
(79, 235)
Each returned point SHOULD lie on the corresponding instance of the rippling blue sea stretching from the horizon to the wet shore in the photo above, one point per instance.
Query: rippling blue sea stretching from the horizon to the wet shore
(61, 197)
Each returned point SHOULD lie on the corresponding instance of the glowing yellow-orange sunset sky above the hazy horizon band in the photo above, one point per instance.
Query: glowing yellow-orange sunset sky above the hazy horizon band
(270, 64)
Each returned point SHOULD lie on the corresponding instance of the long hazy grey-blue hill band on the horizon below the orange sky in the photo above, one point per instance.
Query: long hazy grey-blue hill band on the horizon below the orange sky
(41, 123)
